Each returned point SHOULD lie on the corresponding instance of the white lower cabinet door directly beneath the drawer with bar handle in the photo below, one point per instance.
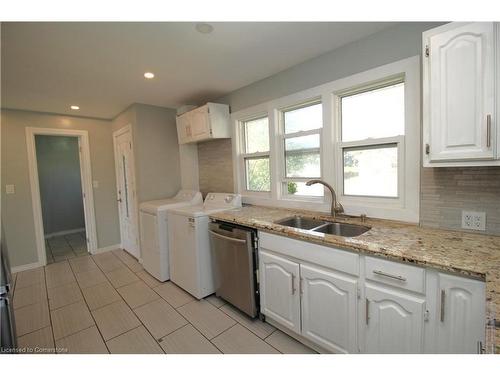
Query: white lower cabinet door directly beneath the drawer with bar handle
(394, 321)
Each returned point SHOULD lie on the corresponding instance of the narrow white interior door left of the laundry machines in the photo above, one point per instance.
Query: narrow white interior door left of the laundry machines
(125, 181)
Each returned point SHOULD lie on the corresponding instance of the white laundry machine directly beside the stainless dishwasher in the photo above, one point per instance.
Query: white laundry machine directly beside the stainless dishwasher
(189, 243)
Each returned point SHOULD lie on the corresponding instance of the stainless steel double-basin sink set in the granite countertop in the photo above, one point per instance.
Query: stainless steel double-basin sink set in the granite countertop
(326, 227)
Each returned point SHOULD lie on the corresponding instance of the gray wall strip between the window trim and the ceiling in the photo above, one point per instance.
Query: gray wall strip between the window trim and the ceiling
(389, 45)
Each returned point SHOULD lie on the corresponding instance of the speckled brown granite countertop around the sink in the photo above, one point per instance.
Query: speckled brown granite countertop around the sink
(468, 254)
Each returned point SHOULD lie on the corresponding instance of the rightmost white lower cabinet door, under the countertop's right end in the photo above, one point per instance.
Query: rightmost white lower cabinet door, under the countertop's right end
(461, 315)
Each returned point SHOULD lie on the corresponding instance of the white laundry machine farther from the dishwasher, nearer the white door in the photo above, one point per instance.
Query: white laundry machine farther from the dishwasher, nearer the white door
(154, 231)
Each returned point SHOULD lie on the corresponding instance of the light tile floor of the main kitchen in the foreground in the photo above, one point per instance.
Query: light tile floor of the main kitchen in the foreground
(107, 303)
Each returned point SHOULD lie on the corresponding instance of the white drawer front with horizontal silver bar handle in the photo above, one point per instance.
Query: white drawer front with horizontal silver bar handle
(396, 274)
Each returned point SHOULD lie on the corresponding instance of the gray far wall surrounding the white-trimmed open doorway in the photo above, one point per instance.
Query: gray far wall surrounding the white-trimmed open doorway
(17, 212)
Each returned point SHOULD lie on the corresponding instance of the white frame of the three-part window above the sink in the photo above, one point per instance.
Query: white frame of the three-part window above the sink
(405, 207)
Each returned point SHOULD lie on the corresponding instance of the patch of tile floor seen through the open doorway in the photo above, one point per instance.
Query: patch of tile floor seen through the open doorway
(65, 247)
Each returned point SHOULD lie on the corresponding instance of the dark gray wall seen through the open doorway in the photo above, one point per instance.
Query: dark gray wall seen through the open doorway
(60, 183)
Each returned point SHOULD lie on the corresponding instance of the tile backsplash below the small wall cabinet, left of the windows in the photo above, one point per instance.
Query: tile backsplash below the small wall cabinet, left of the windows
(215, 163)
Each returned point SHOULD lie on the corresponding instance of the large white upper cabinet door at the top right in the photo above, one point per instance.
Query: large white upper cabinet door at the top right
(459, 92)
